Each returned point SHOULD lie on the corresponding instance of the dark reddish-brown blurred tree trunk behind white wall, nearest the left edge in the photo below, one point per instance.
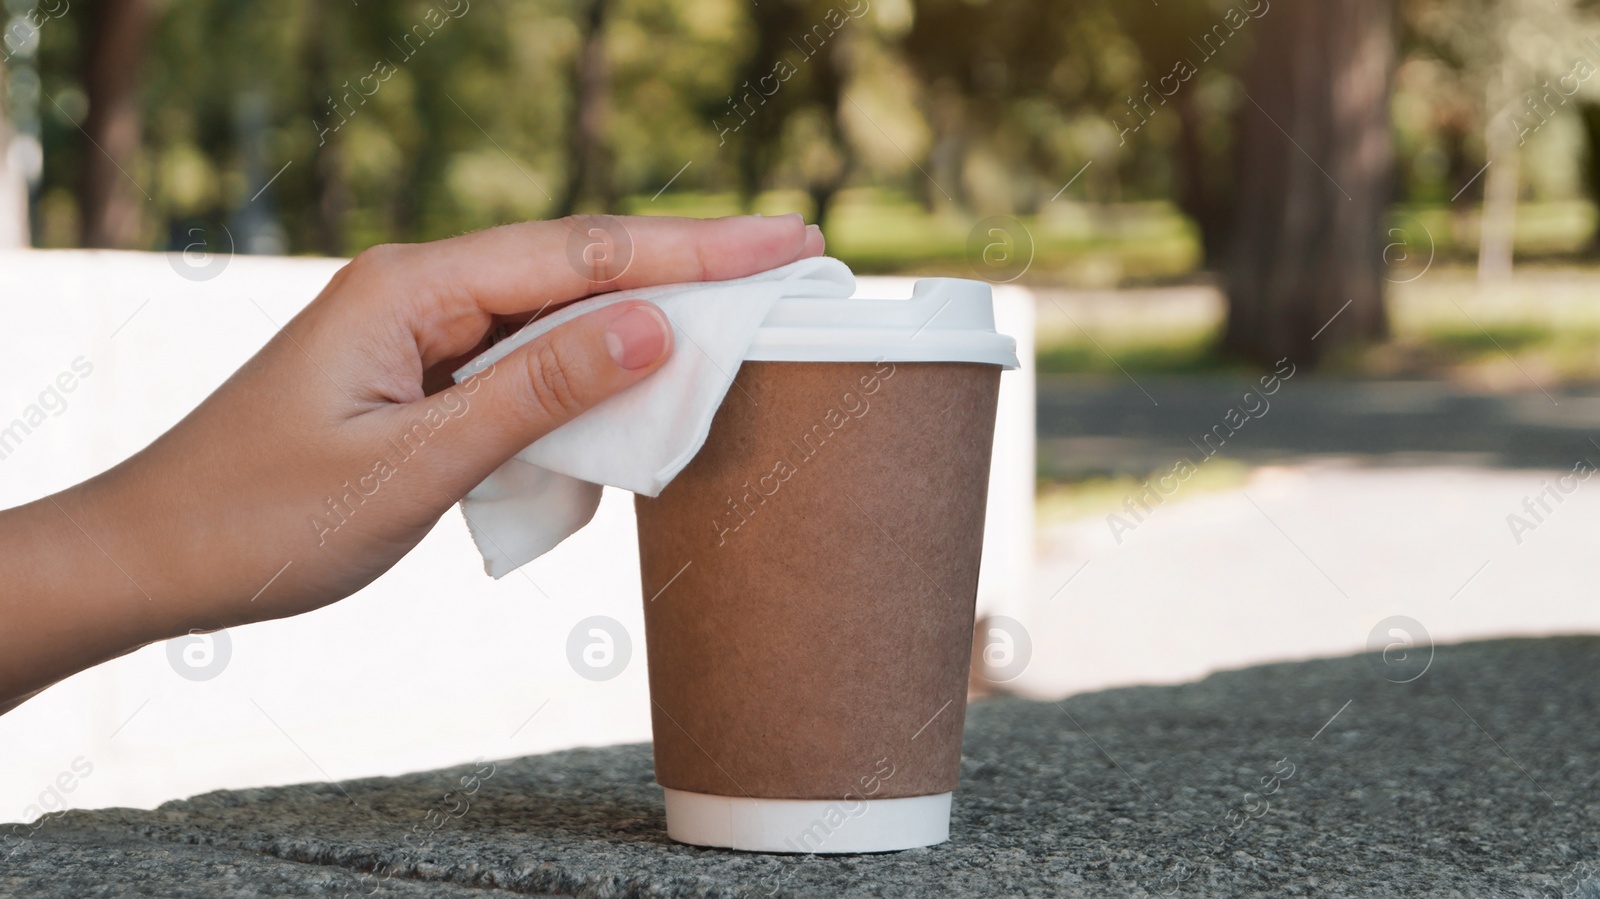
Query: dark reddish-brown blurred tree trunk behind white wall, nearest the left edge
(111, 201)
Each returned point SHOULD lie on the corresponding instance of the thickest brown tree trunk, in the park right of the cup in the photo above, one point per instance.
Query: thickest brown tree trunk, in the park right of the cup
(1314, 178)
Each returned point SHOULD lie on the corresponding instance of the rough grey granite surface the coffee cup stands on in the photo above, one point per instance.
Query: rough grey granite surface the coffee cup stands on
(1327, 778)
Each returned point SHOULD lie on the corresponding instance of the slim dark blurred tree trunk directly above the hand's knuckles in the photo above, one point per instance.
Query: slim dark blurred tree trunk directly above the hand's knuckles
(588, 148)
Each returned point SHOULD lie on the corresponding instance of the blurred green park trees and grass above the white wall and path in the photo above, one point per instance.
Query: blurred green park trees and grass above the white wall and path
(1372, 188)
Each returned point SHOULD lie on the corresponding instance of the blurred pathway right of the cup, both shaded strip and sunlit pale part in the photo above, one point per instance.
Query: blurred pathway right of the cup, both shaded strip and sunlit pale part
(1372, 501)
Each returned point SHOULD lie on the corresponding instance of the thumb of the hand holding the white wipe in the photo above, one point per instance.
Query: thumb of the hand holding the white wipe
(540, 388)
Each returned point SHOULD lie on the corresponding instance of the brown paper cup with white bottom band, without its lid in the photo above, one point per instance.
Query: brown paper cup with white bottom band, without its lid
(809, 586)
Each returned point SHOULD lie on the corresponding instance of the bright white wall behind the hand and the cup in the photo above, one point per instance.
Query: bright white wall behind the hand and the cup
(431, 665)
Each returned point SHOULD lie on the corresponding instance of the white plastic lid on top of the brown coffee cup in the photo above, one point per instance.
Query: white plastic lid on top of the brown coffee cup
(945, 321)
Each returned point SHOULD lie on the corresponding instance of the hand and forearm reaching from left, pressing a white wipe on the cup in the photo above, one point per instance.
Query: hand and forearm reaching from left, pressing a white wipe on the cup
(332, 452)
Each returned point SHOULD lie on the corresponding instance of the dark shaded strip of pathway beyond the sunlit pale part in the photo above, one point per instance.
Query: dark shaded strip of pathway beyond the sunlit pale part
(1098, 426)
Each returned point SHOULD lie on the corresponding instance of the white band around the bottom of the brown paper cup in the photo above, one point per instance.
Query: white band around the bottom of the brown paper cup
(807, 826)
